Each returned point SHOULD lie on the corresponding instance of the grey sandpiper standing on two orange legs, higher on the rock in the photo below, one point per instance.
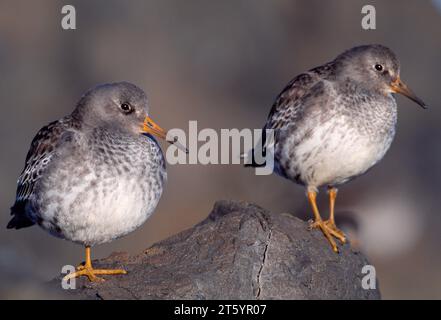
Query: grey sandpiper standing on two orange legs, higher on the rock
(334, 122)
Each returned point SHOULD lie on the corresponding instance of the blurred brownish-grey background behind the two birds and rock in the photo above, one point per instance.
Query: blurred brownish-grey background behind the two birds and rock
(223, 63)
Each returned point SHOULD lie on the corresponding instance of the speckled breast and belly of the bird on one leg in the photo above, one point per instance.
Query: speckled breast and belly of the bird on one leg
(102, 193)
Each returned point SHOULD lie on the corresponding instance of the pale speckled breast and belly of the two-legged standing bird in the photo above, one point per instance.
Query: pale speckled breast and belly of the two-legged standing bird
(338, 145)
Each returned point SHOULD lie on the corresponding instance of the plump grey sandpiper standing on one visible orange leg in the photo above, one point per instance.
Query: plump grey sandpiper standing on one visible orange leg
(94, 175)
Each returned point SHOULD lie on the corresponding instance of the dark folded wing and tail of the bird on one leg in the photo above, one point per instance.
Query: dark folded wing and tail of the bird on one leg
(38, 158)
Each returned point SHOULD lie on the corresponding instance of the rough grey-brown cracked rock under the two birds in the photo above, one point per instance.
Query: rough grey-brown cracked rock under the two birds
(240, 251)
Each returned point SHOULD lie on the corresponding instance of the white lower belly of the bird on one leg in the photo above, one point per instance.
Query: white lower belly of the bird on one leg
(95, 215)
